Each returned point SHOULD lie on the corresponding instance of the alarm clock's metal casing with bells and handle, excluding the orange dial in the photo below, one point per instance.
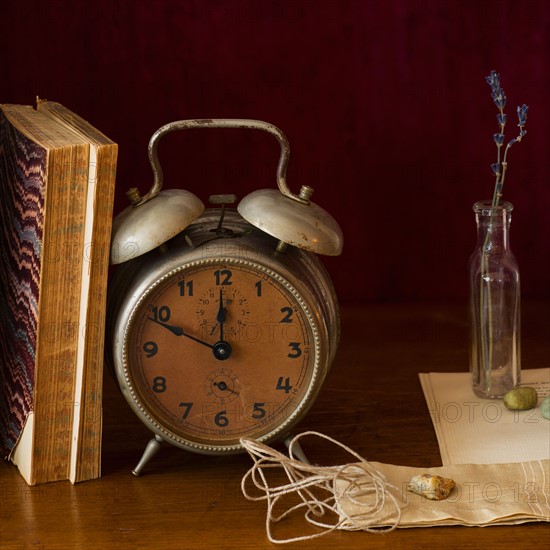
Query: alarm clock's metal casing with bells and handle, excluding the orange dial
(275, 231)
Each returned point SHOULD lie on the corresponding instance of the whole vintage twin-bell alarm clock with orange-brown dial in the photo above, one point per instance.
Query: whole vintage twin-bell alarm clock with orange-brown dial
(223, 323)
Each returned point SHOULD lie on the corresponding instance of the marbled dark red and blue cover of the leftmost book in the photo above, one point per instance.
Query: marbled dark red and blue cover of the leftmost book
(22, 205)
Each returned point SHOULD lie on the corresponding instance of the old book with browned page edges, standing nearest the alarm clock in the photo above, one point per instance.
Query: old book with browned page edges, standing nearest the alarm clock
(86, 453)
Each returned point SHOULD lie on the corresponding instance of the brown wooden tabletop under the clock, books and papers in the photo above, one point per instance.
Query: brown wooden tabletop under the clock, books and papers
(372, 402)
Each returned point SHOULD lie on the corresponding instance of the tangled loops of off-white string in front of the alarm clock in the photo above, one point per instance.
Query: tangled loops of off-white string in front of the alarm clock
(363, 485)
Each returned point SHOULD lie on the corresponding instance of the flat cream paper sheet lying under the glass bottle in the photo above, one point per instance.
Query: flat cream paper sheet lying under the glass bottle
(471, 430)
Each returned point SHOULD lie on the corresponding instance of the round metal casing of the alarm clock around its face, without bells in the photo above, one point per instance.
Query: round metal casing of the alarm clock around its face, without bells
(236, 241)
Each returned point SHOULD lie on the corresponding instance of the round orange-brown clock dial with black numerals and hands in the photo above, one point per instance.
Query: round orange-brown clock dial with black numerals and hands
(216, 351)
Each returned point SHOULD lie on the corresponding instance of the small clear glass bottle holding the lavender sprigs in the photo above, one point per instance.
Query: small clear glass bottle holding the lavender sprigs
(495, 354)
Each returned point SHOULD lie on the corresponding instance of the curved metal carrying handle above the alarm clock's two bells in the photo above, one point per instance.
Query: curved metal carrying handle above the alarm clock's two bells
(220, 123)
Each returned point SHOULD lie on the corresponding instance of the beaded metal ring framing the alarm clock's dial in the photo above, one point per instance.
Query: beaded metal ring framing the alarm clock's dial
(125, 380)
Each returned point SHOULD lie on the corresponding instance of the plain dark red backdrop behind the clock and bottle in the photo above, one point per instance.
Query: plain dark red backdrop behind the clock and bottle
(384, 103)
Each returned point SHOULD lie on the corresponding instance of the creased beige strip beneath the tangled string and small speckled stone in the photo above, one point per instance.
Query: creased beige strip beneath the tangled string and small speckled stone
(485, 494)
